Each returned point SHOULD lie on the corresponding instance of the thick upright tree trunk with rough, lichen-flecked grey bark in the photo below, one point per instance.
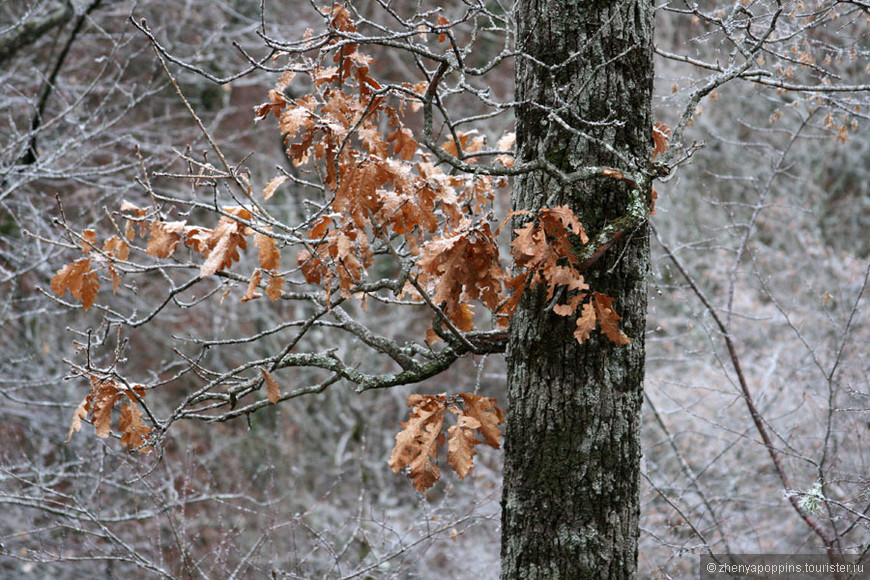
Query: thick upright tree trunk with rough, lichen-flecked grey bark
(572, 449)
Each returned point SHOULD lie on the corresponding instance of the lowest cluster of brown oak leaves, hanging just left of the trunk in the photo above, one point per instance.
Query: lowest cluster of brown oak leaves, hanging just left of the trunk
(421, 436)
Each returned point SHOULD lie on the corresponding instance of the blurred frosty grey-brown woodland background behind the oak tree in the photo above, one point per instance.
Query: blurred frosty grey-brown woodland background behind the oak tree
(760, 264)
